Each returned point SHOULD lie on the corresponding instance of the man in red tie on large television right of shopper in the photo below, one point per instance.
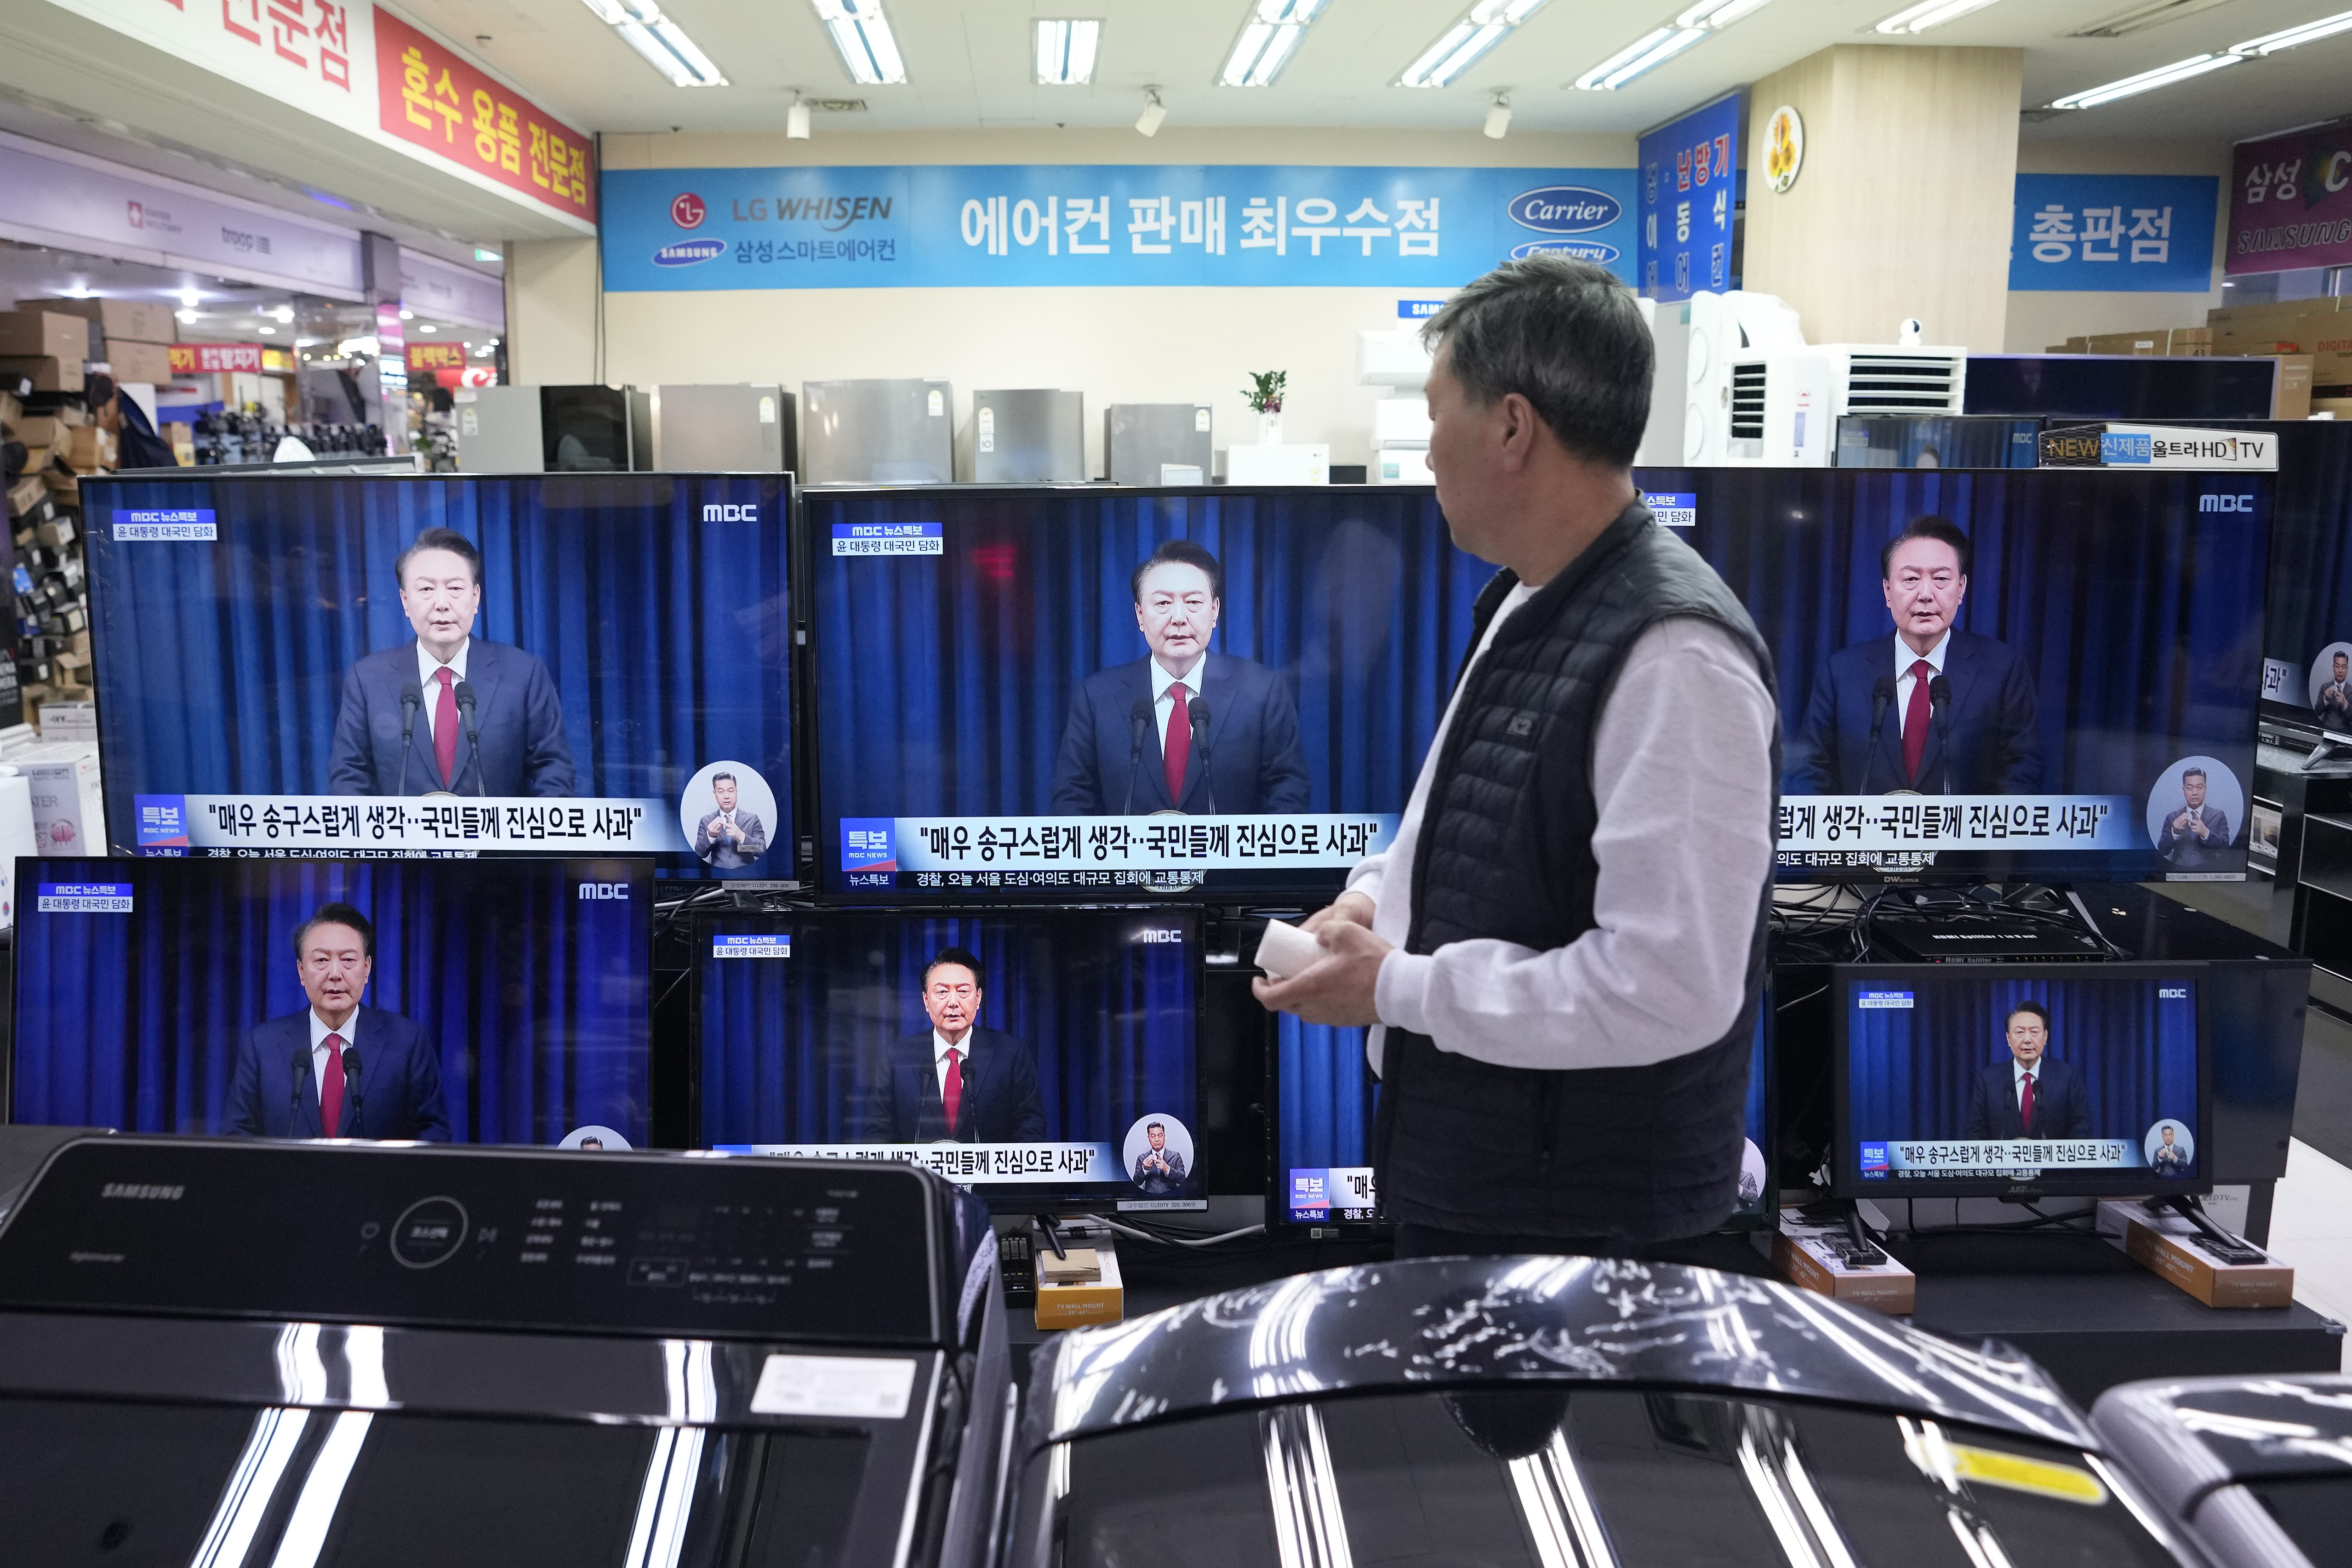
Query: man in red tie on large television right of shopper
(1873, 725)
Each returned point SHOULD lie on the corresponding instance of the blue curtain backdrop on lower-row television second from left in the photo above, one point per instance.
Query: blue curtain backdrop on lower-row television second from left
(1111, 1021)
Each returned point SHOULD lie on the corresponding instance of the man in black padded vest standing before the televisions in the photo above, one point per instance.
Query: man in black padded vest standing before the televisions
(1565, 942)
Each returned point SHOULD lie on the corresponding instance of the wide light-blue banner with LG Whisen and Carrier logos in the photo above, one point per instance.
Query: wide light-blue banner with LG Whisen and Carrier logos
(1100, 225)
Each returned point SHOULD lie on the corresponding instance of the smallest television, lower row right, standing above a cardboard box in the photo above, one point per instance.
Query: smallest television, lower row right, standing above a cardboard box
(1963, 1080)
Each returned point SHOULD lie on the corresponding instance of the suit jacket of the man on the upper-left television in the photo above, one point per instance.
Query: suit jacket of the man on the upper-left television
(514, 711)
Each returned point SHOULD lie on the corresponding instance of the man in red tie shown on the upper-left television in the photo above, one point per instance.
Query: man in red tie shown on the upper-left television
(514, 744)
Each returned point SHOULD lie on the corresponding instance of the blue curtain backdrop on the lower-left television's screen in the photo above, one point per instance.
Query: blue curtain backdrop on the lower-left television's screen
(535, 996)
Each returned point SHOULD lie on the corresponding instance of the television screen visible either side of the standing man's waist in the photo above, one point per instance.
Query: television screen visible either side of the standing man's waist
(1328, 1104)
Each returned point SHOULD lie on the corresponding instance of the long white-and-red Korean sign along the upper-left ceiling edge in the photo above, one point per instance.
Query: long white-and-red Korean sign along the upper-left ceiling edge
(359, 67)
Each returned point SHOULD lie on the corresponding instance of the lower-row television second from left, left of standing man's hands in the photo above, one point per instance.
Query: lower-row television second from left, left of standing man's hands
(1029, 1054)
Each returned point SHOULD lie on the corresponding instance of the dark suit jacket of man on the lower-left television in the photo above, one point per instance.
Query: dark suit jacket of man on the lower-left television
(399, 1083)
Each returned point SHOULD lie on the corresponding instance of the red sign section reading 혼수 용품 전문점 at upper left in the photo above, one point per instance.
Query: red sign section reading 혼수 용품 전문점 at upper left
(434, 100)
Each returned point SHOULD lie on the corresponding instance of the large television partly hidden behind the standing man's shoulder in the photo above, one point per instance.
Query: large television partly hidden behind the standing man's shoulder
(2090, 648)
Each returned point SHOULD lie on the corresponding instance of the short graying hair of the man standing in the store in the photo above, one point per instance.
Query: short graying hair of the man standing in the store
(1568, 337)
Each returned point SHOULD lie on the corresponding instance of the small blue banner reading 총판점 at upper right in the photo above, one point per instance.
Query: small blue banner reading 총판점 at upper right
(2146, 234)
